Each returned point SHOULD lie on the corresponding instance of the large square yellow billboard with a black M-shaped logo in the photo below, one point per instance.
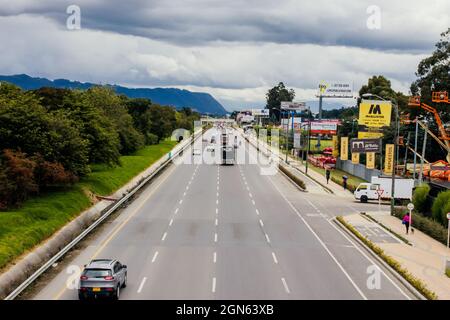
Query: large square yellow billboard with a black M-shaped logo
(375, 113)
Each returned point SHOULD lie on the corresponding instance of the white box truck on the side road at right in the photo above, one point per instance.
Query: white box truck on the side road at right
(370, 191)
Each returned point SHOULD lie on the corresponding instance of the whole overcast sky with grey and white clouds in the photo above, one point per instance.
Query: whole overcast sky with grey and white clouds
(232, 49)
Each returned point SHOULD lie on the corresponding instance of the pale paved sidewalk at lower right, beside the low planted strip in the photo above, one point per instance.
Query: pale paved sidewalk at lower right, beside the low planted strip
(425, 259)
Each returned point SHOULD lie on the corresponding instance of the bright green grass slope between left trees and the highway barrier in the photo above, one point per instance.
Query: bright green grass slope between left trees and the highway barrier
(41, 216)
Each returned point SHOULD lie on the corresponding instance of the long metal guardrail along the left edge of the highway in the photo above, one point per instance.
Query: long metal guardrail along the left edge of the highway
(103, 217)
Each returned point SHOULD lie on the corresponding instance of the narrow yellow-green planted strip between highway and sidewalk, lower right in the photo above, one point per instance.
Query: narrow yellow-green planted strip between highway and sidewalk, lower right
(415, 282)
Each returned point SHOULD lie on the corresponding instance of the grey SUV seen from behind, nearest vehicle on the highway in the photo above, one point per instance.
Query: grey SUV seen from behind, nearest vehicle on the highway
(102, 278)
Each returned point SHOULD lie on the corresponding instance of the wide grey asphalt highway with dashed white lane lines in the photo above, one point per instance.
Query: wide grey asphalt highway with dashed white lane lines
(205, 231)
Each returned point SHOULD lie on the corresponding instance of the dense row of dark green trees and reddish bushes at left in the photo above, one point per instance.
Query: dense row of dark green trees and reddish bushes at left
(49, 137)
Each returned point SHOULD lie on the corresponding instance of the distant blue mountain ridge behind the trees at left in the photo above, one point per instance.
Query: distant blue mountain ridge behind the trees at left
(178, 98)
